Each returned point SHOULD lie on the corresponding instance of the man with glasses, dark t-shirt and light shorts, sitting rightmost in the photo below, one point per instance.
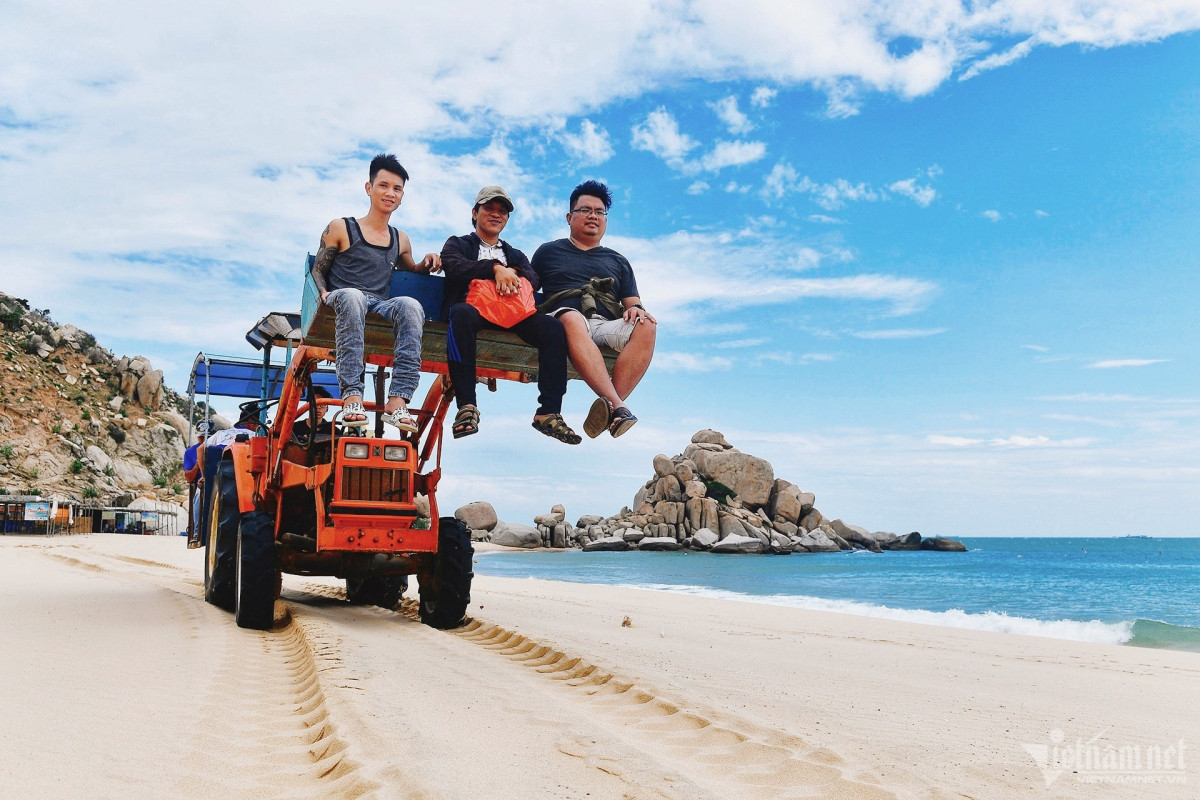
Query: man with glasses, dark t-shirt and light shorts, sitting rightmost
(592, 291)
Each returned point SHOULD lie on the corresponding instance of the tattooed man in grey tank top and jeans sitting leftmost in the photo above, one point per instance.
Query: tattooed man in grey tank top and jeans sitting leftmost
(353, 275)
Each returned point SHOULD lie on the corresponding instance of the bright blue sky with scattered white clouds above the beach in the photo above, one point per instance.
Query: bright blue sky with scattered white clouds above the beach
(935, 262)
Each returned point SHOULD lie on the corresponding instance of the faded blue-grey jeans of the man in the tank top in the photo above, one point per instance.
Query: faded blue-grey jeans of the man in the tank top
(407, 320)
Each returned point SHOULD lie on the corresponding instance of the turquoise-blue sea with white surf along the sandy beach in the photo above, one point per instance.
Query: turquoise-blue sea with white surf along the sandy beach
(1130, 591)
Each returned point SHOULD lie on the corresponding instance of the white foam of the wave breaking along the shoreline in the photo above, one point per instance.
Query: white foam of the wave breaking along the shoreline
(1060, 629)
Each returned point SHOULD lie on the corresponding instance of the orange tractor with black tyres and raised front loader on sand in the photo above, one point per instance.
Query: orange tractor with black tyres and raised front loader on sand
(309, 497)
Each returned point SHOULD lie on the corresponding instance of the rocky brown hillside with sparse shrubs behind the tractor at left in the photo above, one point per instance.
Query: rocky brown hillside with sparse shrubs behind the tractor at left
(79, 423)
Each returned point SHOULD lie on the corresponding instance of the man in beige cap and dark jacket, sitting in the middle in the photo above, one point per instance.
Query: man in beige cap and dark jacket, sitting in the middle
(482, 255)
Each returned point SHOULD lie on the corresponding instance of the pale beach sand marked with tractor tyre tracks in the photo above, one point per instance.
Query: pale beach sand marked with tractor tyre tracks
(119, 682)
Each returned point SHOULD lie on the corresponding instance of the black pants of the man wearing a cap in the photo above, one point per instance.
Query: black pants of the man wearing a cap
(542, 332)
